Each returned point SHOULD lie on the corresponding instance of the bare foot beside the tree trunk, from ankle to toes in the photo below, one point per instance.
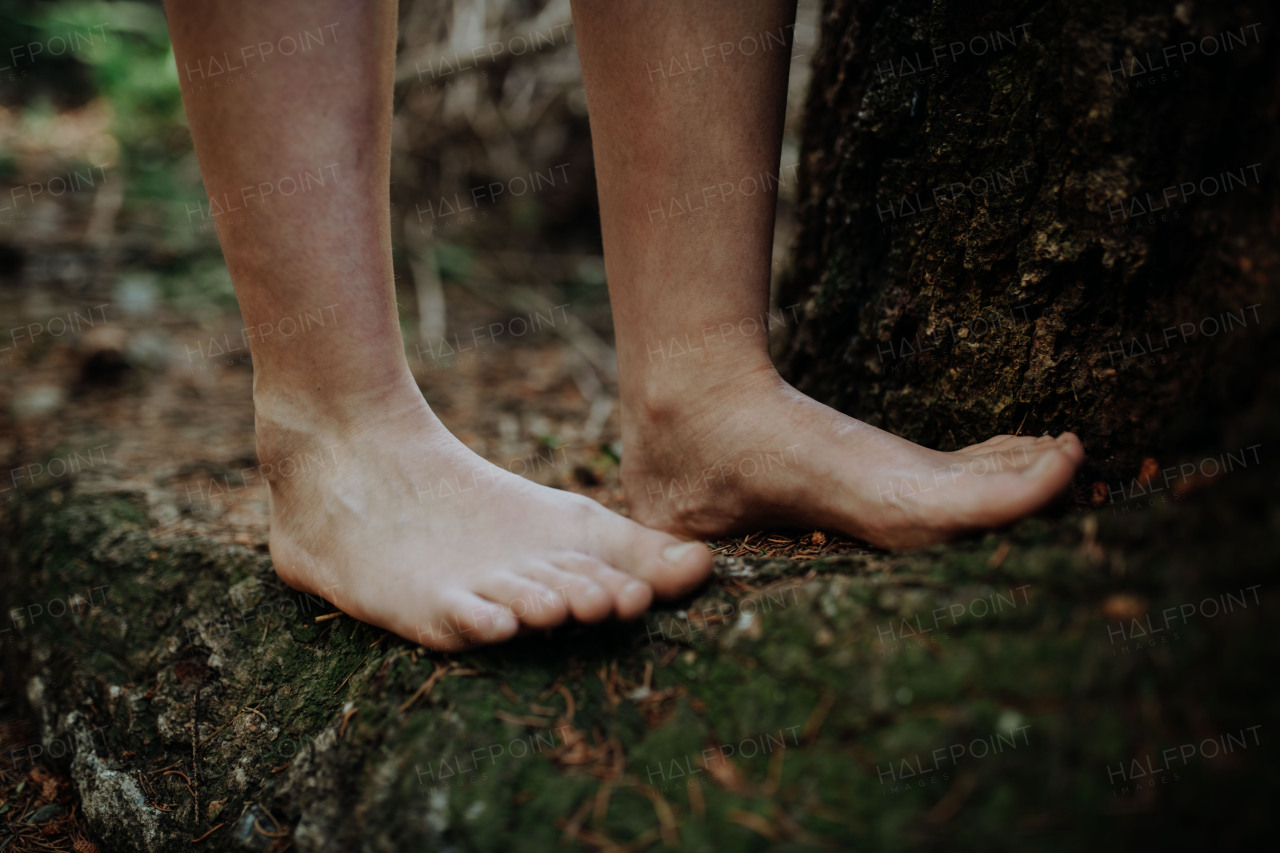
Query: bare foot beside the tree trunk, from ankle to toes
(757, 453)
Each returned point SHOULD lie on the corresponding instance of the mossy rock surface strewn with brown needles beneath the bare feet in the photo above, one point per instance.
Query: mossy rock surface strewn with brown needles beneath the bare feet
(1002, 694)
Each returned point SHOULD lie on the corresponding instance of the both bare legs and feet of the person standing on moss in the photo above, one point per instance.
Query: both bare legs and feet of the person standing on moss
(371, 530)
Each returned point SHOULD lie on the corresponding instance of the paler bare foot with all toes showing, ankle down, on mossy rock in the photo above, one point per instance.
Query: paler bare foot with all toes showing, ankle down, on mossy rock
(399, 524)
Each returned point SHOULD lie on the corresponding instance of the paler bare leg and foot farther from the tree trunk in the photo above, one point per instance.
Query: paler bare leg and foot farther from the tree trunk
(374, 504)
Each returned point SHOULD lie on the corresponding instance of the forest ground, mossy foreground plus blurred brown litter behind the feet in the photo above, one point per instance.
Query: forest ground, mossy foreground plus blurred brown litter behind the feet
(1012, 690)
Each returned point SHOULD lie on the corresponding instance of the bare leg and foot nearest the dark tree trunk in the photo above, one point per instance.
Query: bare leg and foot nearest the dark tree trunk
(687, 104)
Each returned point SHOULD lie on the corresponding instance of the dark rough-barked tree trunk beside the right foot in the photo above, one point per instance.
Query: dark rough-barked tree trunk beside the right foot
(1035, 217)
